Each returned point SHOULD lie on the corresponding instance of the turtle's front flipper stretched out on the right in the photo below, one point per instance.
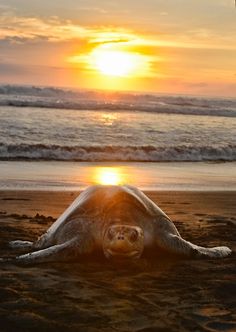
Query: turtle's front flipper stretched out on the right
(177, 245)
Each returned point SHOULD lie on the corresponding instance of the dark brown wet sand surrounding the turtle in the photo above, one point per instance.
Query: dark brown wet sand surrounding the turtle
(151, 295)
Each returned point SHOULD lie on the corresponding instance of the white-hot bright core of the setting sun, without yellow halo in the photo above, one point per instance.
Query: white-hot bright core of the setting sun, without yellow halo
(116, 63)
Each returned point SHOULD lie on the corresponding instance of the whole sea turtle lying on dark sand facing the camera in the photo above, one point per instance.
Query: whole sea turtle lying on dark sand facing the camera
(119, 221)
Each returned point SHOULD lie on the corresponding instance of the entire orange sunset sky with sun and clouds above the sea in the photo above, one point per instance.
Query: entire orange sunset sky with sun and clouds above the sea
(162, 46)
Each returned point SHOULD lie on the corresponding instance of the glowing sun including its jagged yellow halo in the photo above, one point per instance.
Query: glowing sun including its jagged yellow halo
(113, 64)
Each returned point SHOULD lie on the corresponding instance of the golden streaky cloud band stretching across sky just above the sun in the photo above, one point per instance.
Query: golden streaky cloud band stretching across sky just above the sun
(57, 30)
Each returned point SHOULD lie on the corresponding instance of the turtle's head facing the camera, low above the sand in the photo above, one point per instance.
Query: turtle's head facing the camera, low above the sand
(123, 242)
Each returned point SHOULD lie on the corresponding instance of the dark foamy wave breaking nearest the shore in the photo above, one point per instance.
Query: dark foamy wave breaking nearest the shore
(117, 153)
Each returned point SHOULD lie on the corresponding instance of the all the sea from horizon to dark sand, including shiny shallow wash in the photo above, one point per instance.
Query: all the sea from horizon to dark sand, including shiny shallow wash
(55, 139)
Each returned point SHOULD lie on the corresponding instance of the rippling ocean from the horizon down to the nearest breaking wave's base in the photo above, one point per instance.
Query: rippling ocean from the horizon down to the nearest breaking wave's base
(53, 124)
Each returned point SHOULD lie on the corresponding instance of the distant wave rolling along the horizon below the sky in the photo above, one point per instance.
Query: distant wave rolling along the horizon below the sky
(49, 97)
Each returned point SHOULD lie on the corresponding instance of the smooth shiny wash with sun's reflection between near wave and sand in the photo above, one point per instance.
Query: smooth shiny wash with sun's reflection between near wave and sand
(71, 176)
